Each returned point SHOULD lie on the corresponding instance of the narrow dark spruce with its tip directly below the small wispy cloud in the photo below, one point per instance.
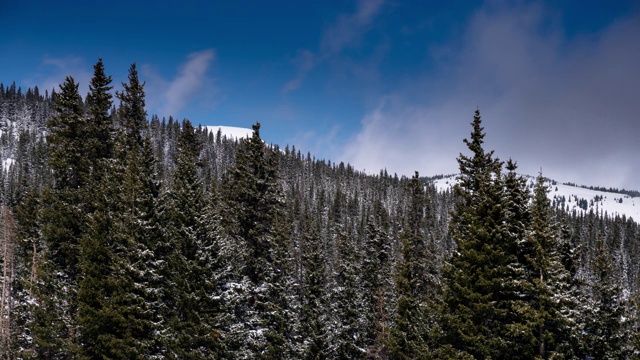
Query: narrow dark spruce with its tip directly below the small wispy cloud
(189, 300)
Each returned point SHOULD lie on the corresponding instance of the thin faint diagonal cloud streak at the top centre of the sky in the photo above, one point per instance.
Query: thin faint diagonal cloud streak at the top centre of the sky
(346, 32)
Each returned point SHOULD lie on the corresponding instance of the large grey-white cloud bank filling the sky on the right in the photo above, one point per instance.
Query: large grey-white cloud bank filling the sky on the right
(566, 104)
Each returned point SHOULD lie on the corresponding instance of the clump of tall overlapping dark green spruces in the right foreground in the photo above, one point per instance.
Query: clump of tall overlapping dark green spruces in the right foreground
(507, 290)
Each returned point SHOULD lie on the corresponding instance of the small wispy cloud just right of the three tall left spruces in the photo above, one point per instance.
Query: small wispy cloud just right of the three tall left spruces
(169, 97)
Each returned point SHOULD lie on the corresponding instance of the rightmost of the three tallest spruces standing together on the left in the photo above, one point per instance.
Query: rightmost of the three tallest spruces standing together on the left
(136, 230)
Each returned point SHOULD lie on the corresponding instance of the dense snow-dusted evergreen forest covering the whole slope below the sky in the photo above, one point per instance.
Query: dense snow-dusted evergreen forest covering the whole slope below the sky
(129, 237)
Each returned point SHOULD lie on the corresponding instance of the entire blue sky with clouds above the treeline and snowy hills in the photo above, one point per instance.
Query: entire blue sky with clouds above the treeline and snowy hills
(378, 83)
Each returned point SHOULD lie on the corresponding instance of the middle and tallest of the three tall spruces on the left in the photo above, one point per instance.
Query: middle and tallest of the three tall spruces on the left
(102, 323)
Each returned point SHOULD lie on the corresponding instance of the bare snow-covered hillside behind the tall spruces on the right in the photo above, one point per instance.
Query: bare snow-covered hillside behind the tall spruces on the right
(576, 198)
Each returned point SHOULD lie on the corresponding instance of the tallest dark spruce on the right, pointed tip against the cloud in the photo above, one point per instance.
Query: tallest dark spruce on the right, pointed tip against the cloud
(476, 298)
